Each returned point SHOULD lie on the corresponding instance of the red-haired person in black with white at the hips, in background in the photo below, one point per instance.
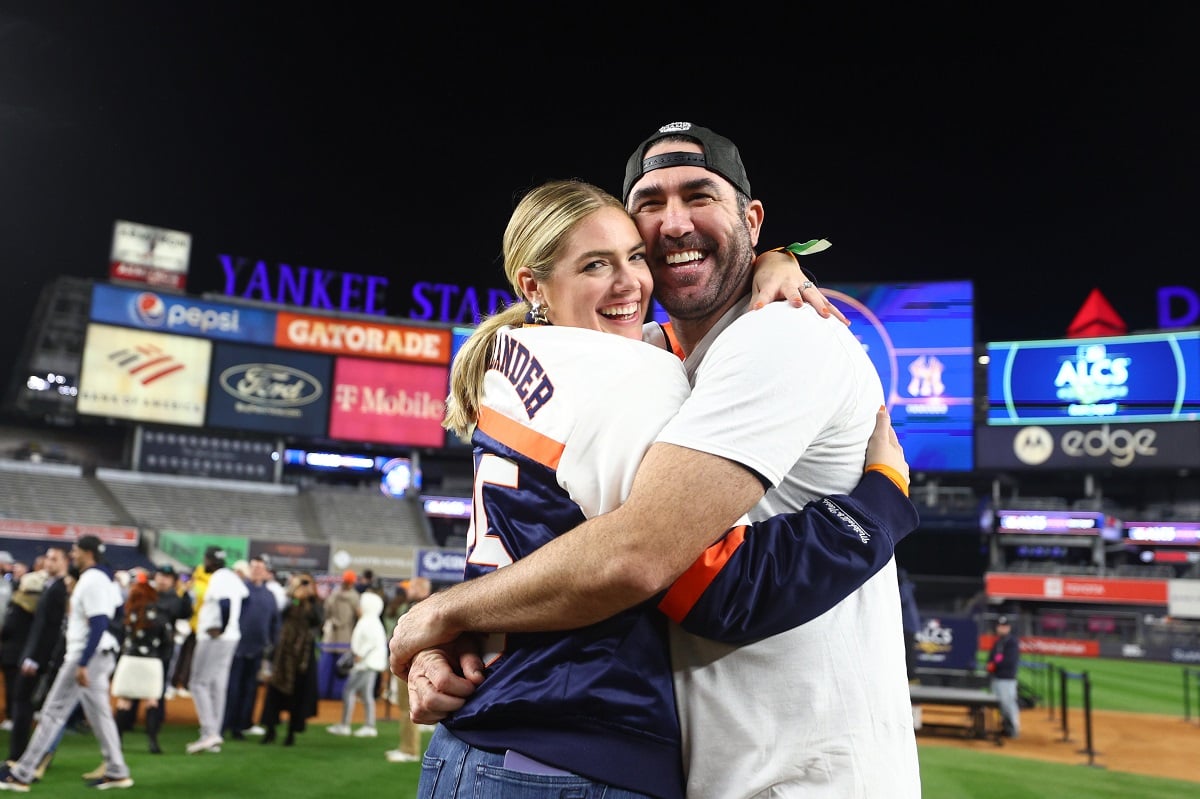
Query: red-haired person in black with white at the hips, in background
(149, 633)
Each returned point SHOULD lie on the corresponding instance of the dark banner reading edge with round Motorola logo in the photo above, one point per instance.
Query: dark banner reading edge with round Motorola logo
(1133, 448)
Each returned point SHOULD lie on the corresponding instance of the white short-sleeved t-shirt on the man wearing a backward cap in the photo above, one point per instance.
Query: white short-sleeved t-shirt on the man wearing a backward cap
(824, 710)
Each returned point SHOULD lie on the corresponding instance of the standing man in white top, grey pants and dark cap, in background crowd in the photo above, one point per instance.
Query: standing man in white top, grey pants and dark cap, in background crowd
(218, 630)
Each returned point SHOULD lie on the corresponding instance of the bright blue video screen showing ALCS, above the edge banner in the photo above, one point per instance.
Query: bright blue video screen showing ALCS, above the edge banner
(1145, 379)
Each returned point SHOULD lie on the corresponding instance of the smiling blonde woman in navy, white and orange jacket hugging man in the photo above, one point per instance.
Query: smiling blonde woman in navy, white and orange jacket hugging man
(561, 416)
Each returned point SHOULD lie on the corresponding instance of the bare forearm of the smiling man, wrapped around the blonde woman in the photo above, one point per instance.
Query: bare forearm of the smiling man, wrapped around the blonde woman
(603, 567)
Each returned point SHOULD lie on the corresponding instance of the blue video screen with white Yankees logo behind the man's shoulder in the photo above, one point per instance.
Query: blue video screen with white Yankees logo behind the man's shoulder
(921, 338)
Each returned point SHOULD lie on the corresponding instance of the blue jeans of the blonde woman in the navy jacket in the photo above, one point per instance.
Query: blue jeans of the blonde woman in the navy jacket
(453, 768)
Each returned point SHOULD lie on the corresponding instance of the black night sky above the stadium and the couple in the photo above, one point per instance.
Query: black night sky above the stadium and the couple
(1040, 154)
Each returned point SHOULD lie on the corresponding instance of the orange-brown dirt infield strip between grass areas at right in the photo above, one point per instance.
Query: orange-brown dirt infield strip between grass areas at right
(1121, 742)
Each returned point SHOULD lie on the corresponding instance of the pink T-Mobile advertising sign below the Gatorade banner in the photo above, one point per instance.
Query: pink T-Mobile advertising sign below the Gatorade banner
(379, 402)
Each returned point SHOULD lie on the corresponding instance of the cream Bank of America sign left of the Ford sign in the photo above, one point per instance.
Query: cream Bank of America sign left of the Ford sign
(145, 376)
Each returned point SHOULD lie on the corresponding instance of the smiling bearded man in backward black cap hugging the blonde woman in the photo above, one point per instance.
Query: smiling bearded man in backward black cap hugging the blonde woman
(821, 708)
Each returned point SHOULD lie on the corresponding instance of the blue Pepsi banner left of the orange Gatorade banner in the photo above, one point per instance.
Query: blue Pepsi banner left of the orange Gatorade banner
(181, 315)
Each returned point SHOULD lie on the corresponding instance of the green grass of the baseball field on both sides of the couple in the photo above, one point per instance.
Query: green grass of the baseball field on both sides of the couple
(329, 766)
